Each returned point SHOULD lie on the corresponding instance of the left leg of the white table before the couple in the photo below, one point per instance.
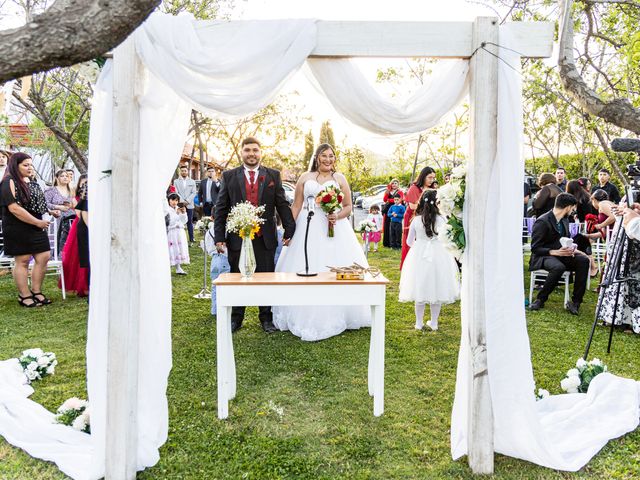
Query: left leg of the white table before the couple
(225, 359)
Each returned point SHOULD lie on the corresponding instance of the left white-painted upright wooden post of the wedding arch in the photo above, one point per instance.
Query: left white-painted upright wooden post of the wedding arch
(124, 279)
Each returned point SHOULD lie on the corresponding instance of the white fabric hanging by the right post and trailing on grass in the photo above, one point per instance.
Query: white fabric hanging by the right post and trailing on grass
(564, 431)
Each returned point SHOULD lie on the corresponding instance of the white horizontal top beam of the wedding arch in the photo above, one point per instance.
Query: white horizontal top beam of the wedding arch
(422, 39)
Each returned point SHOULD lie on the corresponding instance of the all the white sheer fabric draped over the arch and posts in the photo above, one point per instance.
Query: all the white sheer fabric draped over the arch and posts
(215, 68)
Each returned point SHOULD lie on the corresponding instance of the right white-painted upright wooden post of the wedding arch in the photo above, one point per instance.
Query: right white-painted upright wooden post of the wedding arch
(483, 93)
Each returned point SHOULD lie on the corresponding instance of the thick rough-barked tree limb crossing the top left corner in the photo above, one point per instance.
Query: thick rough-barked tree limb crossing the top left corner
(69, 32)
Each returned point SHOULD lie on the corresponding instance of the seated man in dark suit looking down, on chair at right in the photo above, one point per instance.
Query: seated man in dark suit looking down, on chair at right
(547, 253)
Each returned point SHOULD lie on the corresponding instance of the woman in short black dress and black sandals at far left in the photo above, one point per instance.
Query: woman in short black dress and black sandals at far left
(25, 231)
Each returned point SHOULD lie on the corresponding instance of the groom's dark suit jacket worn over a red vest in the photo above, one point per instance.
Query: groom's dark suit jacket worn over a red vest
(270, 194)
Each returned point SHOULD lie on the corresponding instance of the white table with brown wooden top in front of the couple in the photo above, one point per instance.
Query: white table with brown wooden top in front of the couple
(289, 289)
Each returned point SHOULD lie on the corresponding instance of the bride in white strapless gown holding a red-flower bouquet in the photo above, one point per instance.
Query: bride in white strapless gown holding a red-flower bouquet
(318, 323)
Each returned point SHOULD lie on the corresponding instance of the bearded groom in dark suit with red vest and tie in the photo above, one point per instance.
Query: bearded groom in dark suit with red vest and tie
(261, 186)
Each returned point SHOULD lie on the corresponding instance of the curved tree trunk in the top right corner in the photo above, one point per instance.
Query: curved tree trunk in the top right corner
(619, 111)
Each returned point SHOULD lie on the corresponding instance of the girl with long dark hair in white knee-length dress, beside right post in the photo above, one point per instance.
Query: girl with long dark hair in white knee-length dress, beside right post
(429, 273)
